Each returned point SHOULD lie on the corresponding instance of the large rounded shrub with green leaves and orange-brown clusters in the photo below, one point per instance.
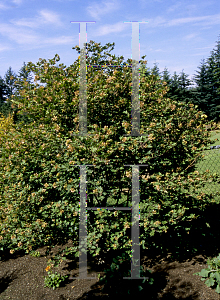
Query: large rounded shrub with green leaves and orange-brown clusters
(39, 175)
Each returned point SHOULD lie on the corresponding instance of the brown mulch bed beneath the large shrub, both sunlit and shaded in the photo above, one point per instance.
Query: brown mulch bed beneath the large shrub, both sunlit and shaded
(22, 276)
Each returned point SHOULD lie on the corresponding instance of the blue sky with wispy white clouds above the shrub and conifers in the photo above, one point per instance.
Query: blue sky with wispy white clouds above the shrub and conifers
(178, 35)
